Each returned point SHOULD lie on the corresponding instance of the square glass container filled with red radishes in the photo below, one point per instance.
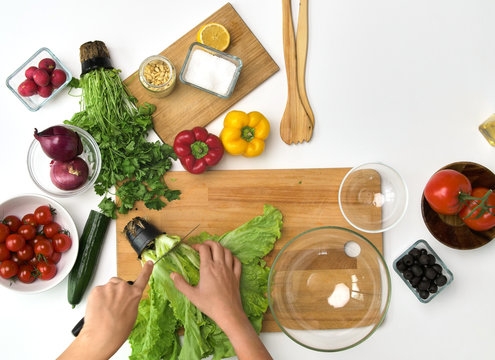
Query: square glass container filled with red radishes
(39, 79)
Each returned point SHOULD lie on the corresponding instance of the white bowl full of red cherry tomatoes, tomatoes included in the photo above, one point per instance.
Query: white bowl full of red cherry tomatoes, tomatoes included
(38, 243)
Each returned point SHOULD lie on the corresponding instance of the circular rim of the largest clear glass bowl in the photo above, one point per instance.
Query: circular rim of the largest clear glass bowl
(387, 272)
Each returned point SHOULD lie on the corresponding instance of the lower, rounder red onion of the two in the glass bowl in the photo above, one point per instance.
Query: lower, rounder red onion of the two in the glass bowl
(69, 175)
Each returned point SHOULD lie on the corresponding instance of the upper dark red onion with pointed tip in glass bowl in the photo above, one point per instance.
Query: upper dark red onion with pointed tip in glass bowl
(59, 143)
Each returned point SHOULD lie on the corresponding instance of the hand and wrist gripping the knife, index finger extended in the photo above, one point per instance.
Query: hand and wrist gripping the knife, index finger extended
(110, 316)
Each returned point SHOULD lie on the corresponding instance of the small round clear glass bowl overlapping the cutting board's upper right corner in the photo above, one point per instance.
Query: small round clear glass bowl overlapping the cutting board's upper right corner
(373, 197)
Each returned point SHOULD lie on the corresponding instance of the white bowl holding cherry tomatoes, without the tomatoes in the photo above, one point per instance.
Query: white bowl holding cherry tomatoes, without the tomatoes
(25, 204)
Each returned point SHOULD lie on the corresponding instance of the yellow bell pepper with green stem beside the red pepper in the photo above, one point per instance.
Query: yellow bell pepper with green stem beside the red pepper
(244, 134)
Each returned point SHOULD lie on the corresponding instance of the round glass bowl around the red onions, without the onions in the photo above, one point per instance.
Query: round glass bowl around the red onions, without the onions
(39, 165)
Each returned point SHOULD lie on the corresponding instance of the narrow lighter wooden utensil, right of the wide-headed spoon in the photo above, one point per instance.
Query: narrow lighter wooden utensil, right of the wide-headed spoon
(301, 52)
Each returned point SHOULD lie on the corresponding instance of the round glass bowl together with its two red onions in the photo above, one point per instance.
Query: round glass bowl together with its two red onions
(64, 160)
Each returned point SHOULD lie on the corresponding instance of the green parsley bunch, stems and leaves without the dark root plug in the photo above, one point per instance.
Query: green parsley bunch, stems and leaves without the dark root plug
(132, 164)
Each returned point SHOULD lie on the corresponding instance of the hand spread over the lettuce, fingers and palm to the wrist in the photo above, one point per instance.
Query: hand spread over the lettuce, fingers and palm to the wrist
(217, 293)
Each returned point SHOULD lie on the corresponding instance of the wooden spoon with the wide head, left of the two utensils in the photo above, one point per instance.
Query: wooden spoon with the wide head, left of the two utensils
(295, 126)
